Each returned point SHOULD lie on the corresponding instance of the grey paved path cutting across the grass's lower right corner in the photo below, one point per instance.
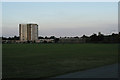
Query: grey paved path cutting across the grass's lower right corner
(109, 71)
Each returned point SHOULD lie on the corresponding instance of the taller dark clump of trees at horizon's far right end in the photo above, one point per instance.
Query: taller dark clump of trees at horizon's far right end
(101, 38)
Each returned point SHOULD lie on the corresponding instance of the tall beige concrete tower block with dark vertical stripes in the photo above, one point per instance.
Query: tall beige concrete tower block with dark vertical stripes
(28, 32)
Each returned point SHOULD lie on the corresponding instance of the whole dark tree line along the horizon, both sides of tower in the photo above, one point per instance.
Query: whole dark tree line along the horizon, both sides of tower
(94, 38)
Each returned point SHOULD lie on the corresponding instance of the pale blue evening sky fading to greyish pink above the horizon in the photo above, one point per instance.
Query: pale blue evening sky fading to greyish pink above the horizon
(61, 18)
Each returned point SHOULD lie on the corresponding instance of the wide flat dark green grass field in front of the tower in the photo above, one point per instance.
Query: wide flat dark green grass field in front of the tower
(46, 60)
